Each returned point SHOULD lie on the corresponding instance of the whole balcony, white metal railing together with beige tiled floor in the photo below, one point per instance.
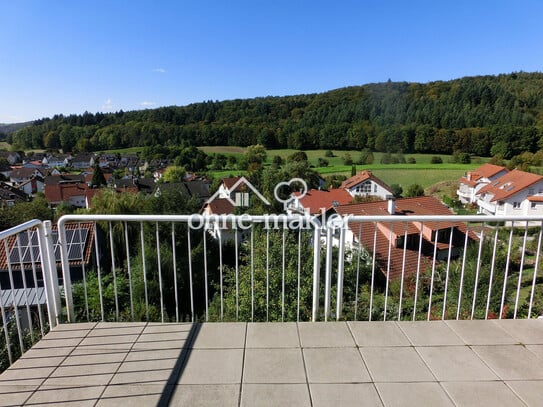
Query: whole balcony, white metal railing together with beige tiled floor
(151, 310)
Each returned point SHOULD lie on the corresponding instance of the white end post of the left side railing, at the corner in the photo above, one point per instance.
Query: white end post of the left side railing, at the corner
(50, 274)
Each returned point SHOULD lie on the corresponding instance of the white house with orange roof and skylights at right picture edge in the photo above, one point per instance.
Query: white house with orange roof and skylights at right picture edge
(515, 193)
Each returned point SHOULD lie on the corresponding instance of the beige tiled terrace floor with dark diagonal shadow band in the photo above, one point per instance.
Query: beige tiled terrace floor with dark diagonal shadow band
(463, 363)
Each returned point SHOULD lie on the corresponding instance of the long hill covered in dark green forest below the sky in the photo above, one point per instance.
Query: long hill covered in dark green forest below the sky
(483, 115)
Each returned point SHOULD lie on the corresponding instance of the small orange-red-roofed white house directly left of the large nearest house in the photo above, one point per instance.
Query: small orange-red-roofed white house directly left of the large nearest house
(317, 202)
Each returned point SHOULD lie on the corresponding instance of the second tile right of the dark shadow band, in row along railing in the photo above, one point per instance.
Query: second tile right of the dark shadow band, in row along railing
(272, 335)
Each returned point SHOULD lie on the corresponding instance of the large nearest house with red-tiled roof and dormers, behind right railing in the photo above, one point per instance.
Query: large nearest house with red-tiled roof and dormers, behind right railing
(390, 238)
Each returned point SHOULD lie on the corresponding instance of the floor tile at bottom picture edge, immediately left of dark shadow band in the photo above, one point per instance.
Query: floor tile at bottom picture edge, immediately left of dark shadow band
(129, 394)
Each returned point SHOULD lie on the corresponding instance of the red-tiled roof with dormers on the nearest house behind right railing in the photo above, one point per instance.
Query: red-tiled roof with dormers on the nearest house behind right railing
(385, 234)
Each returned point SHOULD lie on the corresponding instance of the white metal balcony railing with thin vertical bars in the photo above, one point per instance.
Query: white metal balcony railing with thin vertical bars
(265, 268)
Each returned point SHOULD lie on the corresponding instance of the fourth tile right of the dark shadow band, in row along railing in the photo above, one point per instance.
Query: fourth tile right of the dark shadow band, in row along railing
(378, 333)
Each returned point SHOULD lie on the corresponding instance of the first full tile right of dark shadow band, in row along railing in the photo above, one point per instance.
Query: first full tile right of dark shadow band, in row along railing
(220, 336)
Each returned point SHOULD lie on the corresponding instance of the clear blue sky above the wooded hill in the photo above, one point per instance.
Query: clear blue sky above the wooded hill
(69, 57)
